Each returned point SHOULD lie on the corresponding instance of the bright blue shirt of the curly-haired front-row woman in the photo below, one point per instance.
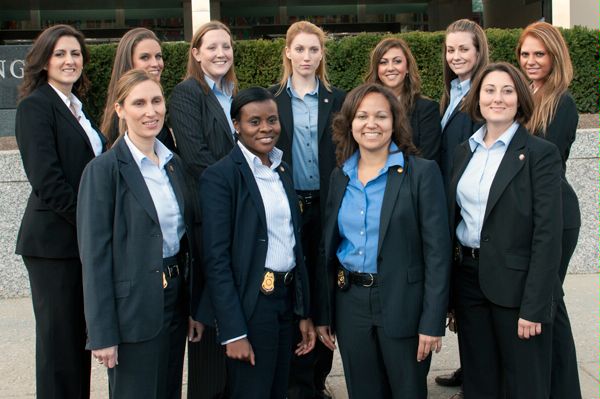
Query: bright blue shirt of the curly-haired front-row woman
(358, 216)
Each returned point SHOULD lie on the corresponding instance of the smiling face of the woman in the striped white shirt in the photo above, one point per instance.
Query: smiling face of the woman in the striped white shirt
(258, 127)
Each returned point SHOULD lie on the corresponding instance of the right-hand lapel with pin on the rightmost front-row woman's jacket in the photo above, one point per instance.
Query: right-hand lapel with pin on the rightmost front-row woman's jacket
(509, 167)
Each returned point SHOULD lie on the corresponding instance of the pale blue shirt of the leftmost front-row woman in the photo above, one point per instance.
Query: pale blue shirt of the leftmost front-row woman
(163, 196)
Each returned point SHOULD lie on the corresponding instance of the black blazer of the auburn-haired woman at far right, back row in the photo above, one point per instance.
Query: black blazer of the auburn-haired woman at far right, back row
(561, 132)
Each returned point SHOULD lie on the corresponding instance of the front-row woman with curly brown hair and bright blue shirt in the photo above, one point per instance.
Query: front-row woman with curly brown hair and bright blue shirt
(384, 278)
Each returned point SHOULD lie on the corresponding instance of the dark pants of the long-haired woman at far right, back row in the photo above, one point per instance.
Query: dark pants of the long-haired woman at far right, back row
(565, 375)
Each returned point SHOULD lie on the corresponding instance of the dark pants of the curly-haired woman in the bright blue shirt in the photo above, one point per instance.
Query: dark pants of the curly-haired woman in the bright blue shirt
(376, 366)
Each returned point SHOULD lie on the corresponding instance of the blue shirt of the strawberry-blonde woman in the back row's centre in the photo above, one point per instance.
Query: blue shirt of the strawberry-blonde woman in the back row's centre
(305, 144)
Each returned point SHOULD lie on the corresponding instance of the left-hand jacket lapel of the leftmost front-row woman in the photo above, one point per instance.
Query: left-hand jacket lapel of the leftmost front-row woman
(134, 179)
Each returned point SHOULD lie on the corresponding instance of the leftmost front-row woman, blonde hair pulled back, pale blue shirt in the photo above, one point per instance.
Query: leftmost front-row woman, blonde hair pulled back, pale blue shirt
(134, 230)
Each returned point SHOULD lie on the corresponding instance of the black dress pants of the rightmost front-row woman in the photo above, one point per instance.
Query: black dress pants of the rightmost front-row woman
(493, 358)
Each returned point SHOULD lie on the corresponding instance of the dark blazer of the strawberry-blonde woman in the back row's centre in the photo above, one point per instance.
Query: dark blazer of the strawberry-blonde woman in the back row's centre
(330, 102)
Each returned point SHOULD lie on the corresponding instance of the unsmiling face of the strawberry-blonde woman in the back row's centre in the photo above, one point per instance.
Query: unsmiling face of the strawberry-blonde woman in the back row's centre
(305, 53)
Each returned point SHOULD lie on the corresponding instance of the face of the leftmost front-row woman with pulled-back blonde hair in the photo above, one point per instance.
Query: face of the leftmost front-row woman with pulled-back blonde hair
(143, 110)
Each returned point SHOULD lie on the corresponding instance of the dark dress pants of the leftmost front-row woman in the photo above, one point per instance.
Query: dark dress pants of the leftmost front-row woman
(153, 369)
